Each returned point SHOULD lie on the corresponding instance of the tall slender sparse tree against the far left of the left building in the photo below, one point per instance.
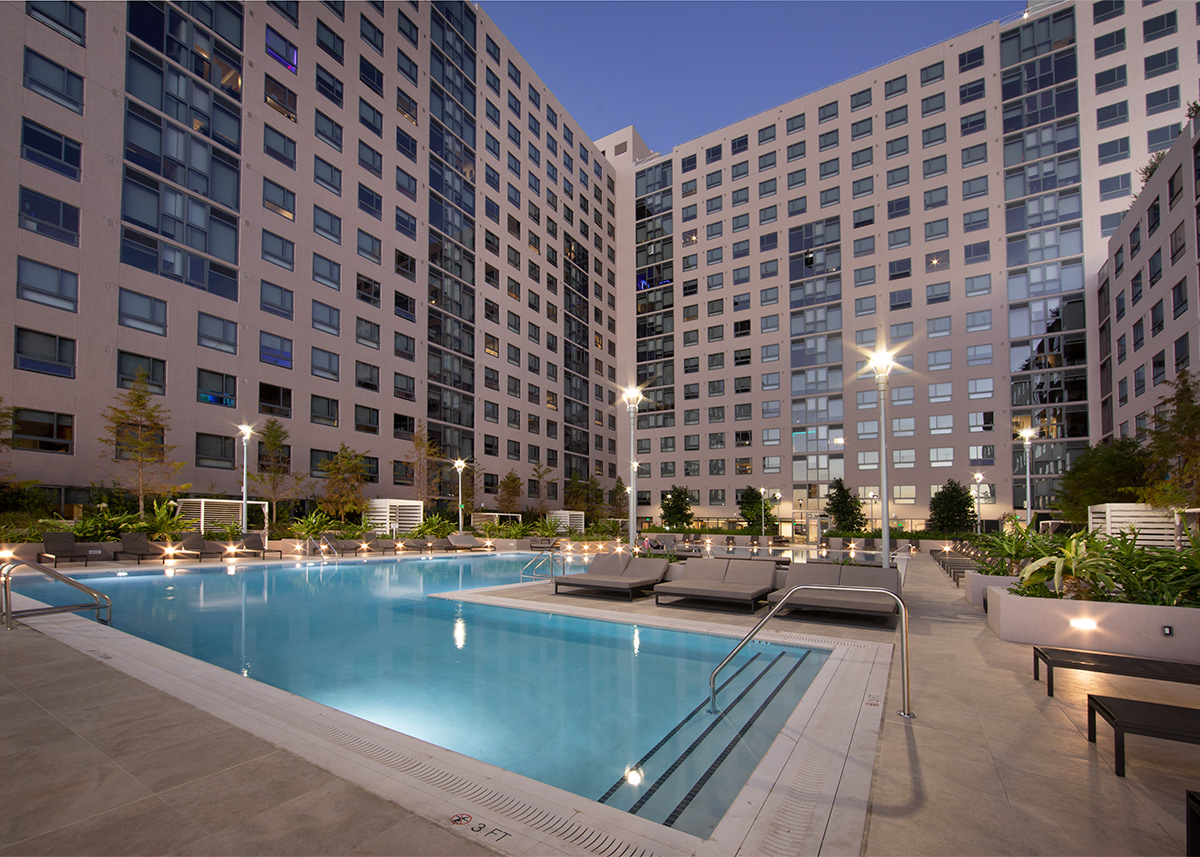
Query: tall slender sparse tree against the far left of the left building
(136, 435)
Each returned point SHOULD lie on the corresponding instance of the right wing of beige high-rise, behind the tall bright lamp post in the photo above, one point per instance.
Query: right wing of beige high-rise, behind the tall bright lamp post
(947, 208)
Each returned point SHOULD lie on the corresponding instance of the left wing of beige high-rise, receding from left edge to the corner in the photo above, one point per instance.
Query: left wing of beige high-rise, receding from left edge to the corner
(359, 219)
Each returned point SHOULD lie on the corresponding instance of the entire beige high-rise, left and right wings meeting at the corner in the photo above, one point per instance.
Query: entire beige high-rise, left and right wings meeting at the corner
(205, 194)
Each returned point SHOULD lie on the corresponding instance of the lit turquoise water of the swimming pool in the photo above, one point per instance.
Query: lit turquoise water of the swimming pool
(572, 703)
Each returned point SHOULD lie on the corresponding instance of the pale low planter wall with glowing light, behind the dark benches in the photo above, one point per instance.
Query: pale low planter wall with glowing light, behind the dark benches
(1133, 630)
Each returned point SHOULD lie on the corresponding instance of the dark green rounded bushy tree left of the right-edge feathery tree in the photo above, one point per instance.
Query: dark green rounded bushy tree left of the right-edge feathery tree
(1106, 474)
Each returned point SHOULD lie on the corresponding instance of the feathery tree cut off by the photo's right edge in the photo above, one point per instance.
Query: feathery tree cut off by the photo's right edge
(1174, 450)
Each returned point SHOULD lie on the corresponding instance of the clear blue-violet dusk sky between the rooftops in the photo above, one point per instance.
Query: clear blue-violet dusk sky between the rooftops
(677, 70)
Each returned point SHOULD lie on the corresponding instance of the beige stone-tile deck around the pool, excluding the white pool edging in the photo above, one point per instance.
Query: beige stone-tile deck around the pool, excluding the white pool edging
(97, 762)
